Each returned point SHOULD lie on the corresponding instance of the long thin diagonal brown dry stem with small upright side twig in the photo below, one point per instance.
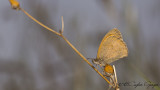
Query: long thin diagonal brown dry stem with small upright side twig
(61, 35)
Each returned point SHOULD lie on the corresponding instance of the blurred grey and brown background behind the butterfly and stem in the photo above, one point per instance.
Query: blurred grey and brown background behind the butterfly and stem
(32, 58)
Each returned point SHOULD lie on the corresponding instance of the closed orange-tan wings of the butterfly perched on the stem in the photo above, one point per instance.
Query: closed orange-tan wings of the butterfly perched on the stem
(112, 47)
